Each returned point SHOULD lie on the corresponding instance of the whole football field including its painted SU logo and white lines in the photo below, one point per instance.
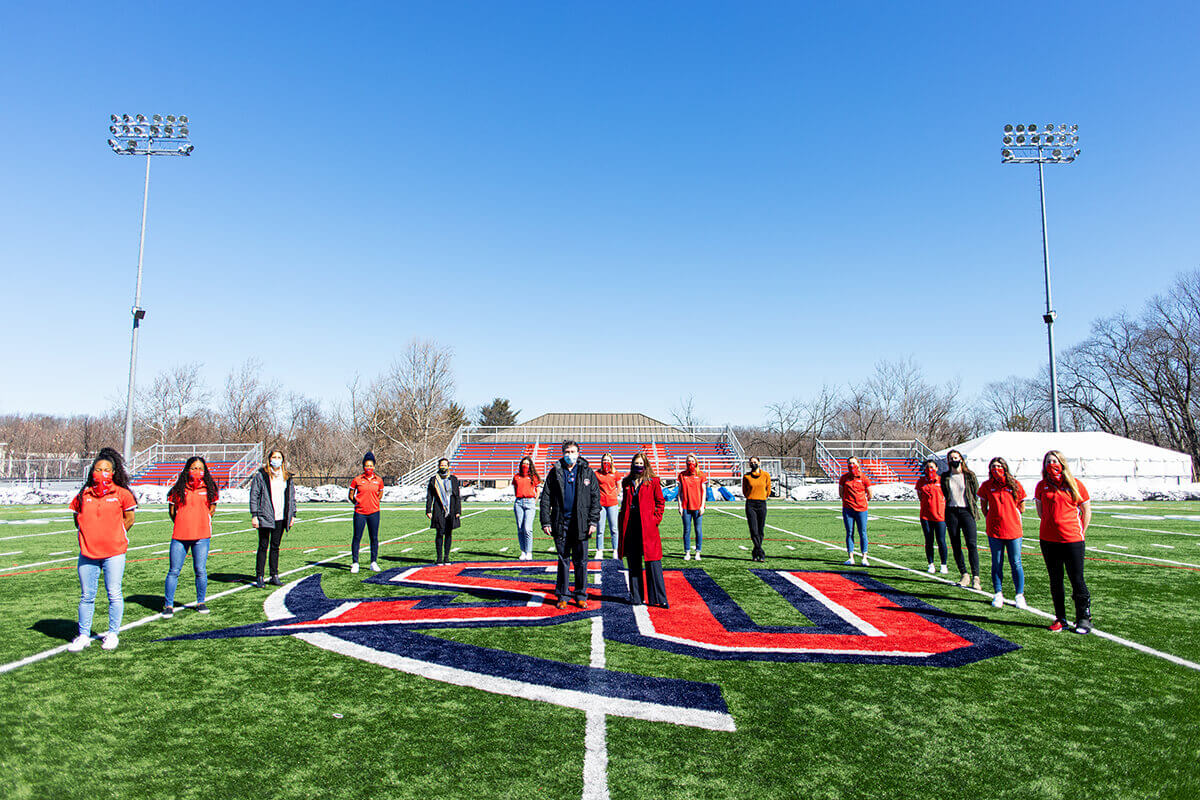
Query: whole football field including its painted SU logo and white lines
(797, 678)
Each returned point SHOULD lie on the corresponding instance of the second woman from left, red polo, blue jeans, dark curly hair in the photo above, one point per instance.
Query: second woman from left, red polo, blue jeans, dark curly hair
(191, 504)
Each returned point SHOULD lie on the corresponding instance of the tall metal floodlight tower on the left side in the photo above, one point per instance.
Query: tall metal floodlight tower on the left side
(136, 136)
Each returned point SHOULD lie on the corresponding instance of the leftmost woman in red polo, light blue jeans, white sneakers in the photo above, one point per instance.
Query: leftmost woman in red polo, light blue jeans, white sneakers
(104, 515)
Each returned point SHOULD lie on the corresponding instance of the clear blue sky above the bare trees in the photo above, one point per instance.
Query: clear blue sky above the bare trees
(599, 207)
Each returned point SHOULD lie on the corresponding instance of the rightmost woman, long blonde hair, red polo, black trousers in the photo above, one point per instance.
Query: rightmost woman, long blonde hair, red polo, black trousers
(1066, 510)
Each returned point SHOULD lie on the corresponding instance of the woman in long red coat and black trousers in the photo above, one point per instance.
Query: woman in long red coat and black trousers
(641, 512)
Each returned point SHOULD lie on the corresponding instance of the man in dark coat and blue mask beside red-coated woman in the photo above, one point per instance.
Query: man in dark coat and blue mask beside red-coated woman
(571, 512)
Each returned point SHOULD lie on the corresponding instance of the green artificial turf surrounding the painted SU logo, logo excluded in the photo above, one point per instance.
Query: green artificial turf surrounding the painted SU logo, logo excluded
(1064, 717)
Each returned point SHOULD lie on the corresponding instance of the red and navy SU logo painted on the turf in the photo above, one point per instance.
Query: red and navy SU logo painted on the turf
(849, 617)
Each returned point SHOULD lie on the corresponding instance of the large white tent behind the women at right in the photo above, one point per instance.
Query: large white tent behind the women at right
(1093, 455)
